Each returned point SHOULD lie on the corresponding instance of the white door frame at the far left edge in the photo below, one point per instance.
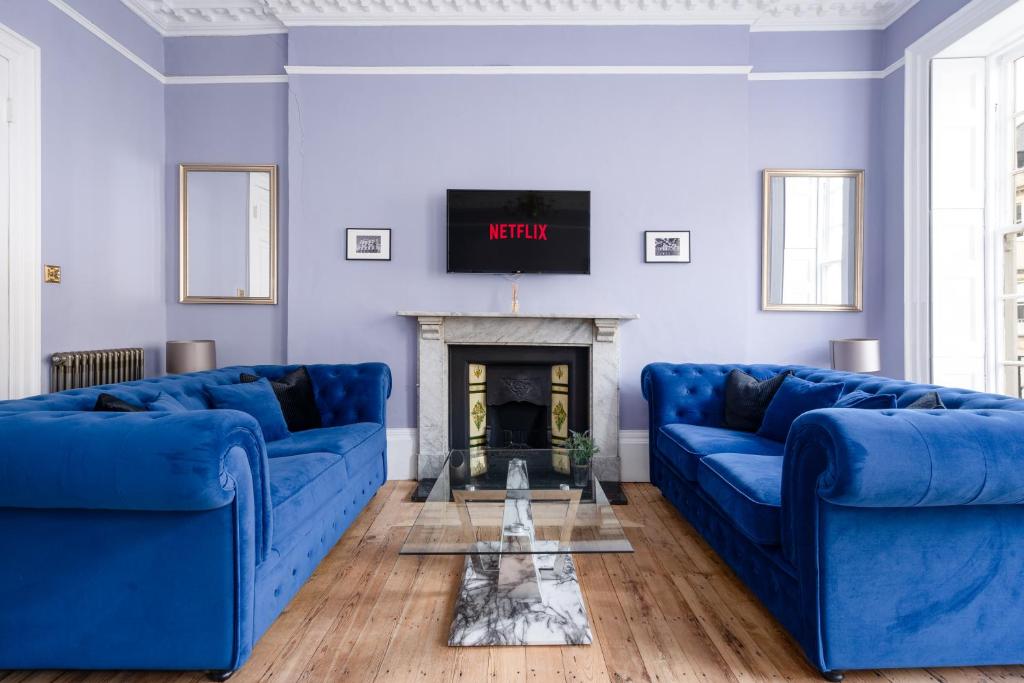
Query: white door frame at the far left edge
(26, 368)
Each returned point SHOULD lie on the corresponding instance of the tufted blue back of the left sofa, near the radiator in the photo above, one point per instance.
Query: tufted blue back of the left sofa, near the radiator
(346, 394)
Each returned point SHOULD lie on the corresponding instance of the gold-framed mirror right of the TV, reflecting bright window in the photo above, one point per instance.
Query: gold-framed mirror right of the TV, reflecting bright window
(813, 241)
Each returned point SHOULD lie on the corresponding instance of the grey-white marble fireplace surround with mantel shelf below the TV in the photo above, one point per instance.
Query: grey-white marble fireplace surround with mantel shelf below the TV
(439, 330)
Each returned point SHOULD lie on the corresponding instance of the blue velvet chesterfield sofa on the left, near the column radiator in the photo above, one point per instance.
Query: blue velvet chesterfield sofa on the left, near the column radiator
(173, 540)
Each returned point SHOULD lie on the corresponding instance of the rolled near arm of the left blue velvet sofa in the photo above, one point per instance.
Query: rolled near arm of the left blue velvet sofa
(132, 461)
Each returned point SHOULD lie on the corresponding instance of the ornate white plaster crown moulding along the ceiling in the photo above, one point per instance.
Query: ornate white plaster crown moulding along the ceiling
(241, 18)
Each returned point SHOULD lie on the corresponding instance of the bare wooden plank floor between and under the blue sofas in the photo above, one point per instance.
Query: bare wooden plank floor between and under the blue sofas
(671, 612)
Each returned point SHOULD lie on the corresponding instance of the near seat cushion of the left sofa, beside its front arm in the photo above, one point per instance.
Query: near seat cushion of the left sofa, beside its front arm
(302, 487)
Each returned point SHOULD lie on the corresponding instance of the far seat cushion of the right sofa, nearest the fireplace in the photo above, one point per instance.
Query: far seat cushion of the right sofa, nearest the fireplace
(685, 446)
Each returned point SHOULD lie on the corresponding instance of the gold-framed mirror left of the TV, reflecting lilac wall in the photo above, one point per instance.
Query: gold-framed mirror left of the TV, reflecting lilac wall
(229, 235)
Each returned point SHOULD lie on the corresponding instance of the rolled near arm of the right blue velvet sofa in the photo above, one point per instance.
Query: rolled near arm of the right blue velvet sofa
(889, 459)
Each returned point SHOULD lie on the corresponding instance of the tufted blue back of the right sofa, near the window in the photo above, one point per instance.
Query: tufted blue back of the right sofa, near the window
(694, 394)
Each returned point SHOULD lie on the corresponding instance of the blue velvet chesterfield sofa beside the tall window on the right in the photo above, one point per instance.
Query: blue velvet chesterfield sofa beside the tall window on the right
(879, 539)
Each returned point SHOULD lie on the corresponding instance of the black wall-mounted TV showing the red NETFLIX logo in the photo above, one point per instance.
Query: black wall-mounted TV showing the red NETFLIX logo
(500, 231)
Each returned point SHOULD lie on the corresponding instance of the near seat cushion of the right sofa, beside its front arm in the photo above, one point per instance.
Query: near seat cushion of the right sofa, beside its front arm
(749, 490)
